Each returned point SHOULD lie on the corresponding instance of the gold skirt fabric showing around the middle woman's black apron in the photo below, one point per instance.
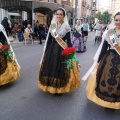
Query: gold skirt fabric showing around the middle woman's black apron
(73, 83)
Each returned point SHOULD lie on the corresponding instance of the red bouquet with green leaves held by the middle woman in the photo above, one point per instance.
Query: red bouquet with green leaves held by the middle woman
(69, 54)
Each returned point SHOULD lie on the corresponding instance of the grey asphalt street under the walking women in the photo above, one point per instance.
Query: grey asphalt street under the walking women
(23, 100)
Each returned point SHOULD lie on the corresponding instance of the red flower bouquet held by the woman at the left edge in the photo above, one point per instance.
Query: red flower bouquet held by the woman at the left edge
(5, 49)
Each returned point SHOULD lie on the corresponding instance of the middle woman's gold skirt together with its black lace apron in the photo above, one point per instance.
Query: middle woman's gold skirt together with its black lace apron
(53, 75)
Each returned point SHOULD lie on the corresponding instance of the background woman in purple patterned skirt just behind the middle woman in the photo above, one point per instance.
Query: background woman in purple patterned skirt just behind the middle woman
(77, 40)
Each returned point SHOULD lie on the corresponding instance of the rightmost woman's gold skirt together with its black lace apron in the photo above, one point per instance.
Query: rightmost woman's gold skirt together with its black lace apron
(103, 87)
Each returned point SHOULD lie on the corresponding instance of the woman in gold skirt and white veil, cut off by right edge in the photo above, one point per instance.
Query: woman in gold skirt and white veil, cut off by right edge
(103, 86)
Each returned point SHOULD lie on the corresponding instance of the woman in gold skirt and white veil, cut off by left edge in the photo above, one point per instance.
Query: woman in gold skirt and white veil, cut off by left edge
(9, 67)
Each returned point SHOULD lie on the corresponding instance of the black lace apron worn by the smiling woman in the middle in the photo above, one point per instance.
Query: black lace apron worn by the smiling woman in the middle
(53, 71)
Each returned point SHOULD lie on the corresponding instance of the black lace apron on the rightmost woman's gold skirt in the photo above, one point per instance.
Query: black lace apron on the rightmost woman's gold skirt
(108, 77)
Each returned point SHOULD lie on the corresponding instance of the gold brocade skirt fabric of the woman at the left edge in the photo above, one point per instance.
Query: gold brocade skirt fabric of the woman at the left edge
(11, 73)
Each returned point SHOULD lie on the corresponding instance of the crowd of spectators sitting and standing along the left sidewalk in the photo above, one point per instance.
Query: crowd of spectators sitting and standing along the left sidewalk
(17, 29)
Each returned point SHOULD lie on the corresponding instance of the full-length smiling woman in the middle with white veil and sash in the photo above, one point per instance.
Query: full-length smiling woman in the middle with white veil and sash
(55, 76)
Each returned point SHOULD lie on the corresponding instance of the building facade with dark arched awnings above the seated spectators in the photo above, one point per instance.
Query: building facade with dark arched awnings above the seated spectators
(41, 10)
